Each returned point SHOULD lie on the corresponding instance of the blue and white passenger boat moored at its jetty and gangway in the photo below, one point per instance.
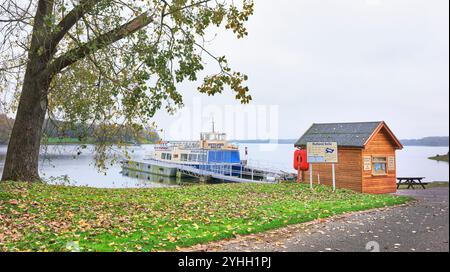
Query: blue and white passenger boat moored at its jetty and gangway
(211, 157)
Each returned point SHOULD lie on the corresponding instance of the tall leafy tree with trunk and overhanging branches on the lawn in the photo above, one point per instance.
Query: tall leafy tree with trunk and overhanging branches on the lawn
(105, 62)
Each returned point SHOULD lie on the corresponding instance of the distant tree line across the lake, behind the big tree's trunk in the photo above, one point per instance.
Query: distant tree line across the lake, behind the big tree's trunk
(58, 131)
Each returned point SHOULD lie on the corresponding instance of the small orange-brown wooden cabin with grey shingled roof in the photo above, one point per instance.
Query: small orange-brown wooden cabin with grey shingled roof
(367, 159)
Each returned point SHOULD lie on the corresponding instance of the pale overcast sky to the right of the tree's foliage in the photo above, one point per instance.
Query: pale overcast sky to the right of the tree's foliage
(312, 61)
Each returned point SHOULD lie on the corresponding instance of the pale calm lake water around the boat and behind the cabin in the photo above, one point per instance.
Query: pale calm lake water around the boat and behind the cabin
(60, 161)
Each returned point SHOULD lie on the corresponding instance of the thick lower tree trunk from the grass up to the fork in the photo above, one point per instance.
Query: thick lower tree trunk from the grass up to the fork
(22, 158)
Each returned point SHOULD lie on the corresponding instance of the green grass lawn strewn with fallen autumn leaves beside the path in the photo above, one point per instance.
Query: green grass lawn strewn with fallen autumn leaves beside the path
(38, 217)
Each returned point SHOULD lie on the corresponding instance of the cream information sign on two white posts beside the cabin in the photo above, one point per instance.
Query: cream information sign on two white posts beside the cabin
(325, 153)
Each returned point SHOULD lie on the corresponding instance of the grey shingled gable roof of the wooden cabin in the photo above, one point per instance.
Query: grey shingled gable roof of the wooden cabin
(345, 134)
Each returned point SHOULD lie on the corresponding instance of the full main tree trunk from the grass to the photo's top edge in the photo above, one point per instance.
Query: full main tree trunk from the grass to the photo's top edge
(22, 158)
